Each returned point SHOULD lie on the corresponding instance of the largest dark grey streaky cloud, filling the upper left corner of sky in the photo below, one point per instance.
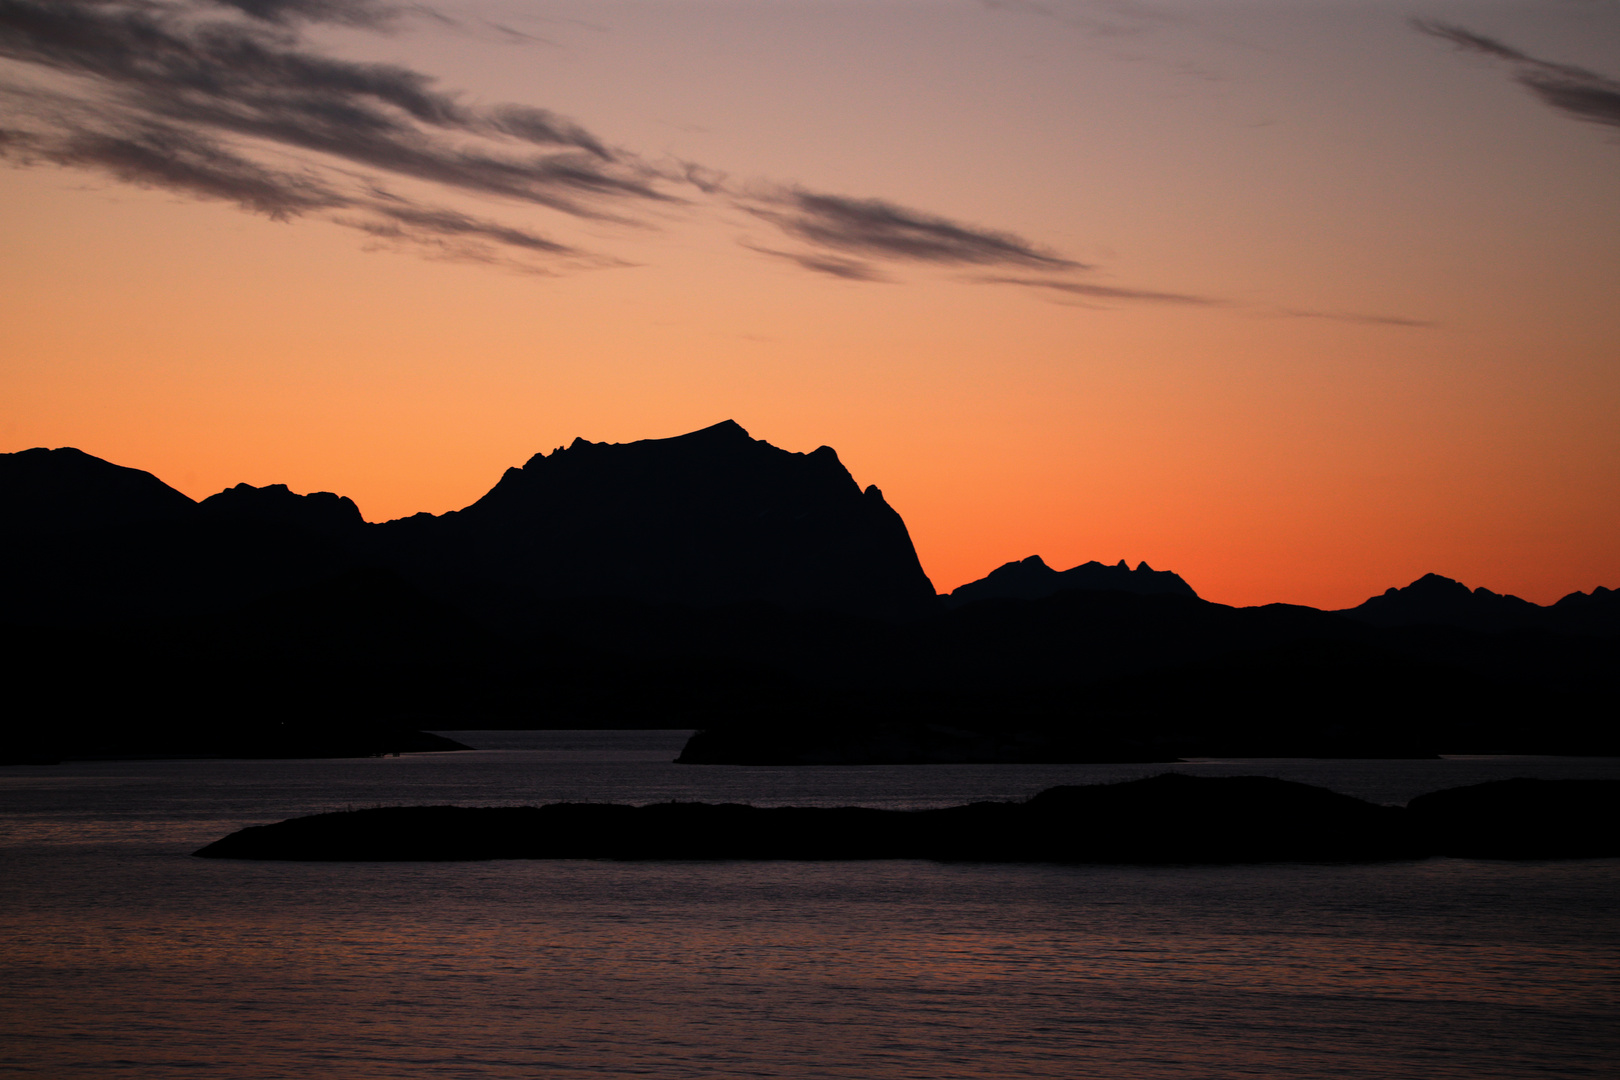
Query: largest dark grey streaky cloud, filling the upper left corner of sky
(202, 96)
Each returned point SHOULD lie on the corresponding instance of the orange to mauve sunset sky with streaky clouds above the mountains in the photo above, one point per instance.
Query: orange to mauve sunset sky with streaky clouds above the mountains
(1300, 300)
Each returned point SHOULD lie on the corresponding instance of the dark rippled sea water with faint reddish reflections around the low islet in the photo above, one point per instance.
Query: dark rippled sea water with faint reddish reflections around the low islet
(122, 956)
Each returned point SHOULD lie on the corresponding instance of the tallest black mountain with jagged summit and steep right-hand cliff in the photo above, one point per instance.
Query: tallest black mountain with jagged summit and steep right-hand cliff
(714, 517)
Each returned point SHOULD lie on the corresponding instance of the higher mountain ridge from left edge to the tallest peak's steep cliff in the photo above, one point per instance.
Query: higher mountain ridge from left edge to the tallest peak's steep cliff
(707, 519)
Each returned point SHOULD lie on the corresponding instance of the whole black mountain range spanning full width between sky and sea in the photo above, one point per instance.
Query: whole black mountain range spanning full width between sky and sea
(715, 582)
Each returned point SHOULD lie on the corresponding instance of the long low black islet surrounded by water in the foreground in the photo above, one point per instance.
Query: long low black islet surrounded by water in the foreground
(1170, 819)
